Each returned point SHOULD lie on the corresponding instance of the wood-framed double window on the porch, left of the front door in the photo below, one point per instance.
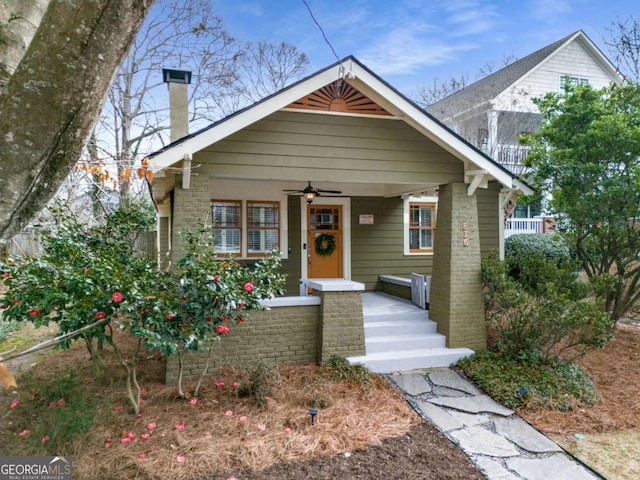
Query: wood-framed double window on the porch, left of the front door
(246, 228)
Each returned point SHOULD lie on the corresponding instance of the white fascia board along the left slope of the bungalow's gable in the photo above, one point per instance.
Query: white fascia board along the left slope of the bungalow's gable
(241, 120)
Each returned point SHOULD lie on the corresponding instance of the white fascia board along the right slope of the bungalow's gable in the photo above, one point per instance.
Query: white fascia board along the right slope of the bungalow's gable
(396, 104)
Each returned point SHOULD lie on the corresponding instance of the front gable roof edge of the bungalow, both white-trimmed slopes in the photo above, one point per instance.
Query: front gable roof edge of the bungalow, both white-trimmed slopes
(355, 74)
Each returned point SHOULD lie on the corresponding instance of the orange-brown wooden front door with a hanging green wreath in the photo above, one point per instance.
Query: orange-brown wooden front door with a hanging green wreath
(324, 241)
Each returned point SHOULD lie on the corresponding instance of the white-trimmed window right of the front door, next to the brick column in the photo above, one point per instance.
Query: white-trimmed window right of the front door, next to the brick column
(419, 225)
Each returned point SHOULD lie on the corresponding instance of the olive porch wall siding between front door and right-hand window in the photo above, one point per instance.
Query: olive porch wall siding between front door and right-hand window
(378, 248)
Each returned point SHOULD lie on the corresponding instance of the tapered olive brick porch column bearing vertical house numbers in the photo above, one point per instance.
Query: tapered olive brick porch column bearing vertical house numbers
(456, 303)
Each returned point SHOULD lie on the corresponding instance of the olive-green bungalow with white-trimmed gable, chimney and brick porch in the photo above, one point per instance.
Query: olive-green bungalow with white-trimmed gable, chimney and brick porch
(357, 187)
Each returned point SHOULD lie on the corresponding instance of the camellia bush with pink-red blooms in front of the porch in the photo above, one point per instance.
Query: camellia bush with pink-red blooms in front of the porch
(90, 280)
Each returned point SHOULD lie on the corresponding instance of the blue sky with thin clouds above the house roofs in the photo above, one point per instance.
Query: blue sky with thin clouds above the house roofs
(409, 42)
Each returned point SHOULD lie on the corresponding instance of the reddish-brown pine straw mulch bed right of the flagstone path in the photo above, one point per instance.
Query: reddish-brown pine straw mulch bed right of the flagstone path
(614, 370)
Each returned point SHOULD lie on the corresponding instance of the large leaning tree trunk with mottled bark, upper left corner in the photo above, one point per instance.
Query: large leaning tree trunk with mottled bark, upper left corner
(51, 101)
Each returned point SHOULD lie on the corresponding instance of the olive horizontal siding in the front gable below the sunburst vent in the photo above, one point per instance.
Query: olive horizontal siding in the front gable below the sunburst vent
(299, 146)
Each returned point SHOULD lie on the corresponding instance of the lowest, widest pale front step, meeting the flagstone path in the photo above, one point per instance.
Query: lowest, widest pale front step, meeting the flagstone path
(389, 362)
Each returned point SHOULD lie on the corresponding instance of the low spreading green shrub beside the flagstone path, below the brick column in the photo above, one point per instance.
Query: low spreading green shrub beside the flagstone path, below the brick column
(533, 384)
